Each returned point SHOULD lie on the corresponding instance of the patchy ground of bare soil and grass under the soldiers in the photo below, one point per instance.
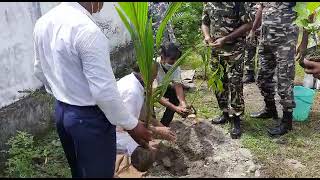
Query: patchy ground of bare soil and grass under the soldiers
(206, 150)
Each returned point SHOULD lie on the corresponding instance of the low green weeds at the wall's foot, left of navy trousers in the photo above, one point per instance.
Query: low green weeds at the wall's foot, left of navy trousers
(27, 158)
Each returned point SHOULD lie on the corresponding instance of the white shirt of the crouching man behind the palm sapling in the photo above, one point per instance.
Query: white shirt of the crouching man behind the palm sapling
(132, 94)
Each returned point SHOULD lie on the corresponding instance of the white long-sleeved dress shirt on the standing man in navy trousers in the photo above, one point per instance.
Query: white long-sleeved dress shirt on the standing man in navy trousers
(72, 59)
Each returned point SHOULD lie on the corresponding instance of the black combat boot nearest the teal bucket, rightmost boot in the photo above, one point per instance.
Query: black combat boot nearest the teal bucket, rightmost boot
(284, 127)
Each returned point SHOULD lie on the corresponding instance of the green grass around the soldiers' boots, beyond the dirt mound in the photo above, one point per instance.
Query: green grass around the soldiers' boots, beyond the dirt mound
(301, 144)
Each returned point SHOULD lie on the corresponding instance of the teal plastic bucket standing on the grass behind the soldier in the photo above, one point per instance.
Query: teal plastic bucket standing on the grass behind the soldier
(304, 99)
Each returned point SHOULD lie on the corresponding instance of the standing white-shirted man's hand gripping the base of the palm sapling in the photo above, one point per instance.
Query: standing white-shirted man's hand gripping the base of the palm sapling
(141, 134)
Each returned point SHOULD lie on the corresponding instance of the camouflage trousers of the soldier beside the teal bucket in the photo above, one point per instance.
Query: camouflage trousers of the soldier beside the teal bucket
(277, 58)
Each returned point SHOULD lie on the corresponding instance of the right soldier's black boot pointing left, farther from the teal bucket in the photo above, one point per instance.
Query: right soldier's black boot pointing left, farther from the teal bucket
(270, 111)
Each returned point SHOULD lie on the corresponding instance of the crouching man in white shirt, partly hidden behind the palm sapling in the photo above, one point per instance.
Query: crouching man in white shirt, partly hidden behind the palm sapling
(131, 88)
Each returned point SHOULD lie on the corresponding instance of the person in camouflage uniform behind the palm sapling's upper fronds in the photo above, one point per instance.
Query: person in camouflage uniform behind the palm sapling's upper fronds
(157, 11)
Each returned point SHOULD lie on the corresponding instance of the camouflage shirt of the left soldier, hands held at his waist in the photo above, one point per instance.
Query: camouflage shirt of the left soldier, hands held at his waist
(224, 17)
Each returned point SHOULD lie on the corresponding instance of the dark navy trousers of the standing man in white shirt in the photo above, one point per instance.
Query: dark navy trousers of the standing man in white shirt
(88, 140)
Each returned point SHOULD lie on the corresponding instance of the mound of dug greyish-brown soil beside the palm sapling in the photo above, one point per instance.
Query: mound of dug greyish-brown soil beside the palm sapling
(202, 150)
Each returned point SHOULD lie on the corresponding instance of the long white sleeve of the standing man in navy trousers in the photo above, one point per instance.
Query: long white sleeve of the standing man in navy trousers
(93, 50)
